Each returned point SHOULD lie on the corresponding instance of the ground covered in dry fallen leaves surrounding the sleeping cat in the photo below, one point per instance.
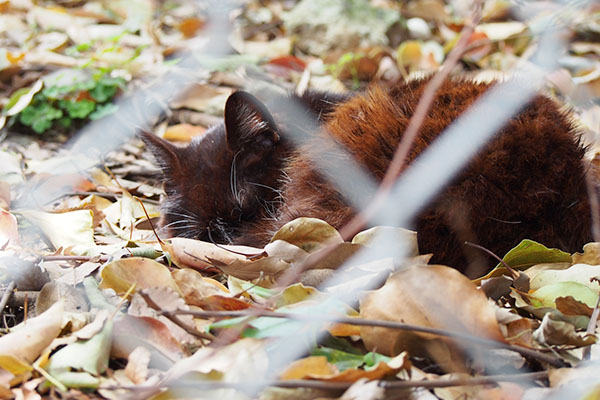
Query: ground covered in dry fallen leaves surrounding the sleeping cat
(100, 307)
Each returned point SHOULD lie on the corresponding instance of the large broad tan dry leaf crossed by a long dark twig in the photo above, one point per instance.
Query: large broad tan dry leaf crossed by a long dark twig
(432, 296)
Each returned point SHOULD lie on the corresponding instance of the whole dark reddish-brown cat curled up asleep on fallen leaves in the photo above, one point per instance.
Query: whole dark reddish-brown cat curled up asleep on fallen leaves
(529, 182)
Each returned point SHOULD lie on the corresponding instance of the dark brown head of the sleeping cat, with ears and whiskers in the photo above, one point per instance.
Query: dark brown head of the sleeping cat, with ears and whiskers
(223, 179)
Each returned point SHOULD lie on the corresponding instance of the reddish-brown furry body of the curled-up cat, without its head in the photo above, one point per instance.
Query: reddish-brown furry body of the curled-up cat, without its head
(527, 182)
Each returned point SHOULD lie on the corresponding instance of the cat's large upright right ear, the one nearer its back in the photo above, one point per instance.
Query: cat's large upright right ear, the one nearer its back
(250, 128)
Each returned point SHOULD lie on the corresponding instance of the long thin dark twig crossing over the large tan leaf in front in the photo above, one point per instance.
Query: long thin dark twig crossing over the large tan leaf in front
(556, 362)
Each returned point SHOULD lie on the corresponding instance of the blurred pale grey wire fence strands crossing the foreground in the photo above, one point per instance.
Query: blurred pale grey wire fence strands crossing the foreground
(417, 185)
